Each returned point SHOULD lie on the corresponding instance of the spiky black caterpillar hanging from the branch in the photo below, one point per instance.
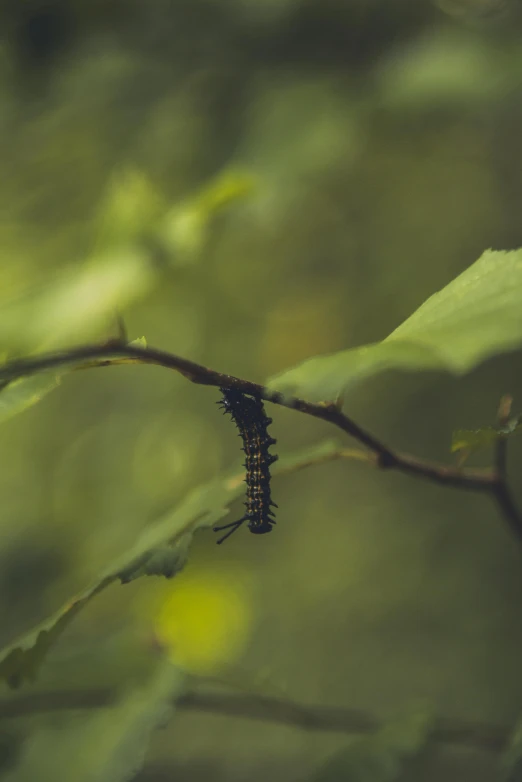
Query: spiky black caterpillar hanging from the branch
(248, 413)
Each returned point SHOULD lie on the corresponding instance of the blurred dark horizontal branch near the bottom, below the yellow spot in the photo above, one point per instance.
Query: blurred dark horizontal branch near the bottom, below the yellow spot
(329, 719)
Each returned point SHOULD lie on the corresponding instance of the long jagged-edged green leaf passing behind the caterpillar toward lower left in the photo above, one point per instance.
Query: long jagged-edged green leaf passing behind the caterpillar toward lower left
(161, 550)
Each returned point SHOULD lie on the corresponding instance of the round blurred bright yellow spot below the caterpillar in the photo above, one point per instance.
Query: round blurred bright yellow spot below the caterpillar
(204, 620)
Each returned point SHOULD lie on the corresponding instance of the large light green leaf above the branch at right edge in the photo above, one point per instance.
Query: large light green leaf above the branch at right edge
(476, 316)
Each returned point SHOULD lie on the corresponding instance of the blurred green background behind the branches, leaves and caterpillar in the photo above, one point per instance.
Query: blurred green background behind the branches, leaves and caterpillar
(250, 183)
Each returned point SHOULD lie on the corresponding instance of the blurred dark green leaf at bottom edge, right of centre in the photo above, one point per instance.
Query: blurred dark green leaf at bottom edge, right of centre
(381, 757)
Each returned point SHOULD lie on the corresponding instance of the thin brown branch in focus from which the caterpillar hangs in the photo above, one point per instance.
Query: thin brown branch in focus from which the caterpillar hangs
(116, 352)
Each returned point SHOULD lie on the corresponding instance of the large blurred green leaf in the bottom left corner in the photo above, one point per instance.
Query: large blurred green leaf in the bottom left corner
(108, 746)
